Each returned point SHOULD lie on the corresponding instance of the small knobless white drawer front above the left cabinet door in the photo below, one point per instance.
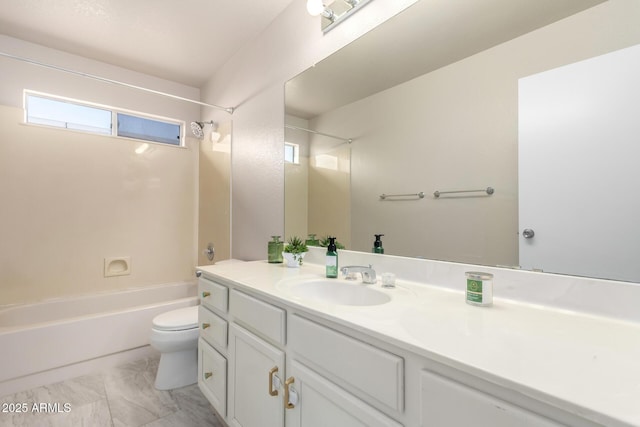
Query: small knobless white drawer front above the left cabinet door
(258, 316)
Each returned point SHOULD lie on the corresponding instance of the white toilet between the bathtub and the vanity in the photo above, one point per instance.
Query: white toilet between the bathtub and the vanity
(175, 335)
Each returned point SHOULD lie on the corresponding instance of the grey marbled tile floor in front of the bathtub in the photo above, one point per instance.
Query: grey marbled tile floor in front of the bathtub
(119, 397)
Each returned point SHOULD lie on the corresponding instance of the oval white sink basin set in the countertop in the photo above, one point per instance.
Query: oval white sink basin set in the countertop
(338, 292)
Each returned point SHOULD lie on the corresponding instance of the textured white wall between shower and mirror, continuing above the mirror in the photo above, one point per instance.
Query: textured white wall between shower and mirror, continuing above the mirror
(254, 82)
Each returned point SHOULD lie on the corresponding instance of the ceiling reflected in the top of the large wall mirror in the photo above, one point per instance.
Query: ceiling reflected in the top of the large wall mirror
(428, 35)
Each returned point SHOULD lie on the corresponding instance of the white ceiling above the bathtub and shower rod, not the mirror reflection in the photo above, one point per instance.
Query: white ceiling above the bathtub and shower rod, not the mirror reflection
(184, 41)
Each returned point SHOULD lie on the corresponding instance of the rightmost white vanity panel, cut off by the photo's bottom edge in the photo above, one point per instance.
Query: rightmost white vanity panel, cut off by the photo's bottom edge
(448, 403)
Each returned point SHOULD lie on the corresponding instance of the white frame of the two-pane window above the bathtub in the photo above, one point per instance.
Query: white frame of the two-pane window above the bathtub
(115, 111)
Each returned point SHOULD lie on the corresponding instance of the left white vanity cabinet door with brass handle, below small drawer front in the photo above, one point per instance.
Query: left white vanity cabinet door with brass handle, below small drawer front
(254, 400)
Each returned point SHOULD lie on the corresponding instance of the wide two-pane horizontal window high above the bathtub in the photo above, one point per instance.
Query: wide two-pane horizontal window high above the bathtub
(57, 112)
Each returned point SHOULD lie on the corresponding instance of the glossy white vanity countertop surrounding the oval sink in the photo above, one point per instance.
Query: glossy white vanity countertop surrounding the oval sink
(586, 364)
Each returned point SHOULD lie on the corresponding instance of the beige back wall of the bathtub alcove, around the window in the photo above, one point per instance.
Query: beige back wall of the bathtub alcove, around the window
(70, 199)
